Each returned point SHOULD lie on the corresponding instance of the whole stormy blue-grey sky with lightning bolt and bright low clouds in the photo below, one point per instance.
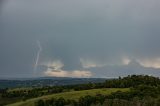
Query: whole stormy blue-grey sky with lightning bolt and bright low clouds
(79, 38)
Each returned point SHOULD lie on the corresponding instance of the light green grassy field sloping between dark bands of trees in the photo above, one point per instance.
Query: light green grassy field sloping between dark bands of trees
(71, 95)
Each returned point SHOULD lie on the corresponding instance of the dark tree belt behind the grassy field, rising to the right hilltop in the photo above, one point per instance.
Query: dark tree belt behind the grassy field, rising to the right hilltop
(126, 82)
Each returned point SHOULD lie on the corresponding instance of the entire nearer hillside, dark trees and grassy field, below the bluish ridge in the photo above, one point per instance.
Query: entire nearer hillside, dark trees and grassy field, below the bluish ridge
(135, 90)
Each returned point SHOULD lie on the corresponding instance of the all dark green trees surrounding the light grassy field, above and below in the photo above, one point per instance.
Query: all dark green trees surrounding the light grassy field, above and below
(145, 91)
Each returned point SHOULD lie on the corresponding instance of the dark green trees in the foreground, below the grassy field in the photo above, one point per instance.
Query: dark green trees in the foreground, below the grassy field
(141, 95)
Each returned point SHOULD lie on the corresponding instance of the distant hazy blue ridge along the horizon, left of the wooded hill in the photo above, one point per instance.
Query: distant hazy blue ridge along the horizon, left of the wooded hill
(45, 81)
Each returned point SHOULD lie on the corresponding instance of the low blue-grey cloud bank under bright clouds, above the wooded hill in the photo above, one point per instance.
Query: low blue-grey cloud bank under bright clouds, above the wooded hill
(121, 70)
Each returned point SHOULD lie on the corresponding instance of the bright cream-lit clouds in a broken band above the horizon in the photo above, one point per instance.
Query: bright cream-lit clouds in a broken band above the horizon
(55, 68)
